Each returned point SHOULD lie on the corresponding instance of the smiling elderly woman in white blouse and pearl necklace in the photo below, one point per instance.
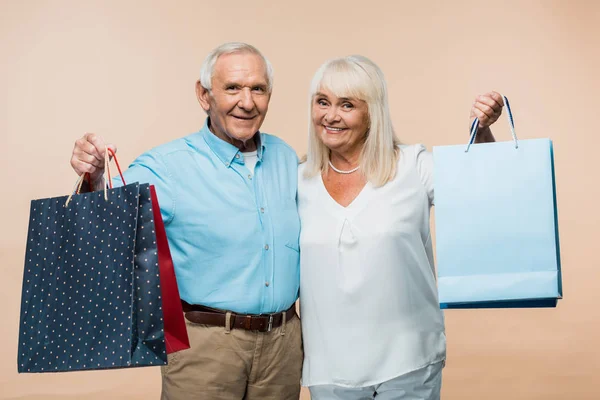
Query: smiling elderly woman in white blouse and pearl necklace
(371, 320)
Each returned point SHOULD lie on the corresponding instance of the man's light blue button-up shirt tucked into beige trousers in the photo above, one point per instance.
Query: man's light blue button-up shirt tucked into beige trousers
(233, 235)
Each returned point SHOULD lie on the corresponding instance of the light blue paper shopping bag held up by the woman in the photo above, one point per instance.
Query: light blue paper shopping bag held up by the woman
(496, 223)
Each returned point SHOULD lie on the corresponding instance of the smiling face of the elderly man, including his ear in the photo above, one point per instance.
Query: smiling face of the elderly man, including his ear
(239, 99)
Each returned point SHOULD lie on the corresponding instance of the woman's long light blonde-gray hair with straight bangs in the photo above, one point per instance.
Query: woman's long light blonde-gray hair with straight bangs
(359, 78)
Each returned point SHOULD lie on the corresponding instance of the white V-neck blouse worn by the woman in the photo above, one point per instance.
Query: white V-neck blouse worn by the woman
(368, 296)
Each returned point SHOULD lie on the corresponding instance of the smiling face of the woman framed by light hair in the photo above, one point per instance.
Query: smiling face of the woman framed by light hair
(340, 122)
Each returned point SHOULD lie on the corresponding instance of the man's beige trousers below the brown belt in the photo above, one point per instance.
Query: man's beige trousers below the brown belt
(236, 365)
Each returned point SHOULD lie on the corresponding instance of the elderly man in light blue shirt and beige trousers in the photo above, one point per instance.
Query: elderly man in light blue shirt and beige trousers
(228, 199)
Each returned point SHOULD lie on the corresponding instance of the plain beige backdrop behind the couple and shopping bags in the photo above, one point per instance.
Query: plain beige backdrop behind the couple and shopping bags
(127, 69)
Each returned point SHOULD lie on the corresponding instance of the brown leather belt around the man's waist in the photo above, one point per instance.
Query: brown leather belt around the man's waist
(211, 316)
